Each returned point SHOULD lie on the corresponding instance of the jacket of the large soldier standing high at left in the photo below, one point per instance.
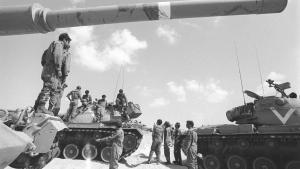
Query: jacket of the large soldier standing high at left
(55, 59)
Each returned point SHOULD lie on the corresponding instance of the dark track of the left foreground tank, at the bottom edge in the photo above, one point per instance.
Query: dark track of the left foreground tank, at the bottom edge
(24, 160)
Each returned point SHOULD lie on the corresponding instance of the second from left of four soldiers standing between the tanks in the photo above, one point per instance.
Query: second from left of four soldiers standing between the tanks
(167, 141)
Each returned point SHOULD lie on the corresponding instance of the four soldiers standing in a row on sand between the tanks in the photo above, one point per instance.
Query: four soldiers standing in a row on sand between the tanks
(164, 134)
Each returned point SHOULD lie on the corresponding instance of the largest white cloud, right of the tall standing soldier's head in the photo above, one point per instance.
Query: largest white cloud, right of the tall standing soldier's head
(119, 49)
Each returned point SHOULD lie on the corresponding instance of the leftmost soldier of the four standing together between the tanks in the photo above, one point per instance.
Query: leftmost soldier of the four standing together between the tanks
(157, 139)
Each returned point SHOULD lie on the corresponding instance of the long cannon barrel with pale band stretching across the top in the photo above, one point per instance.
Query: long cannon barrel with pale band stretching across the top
(36, 19)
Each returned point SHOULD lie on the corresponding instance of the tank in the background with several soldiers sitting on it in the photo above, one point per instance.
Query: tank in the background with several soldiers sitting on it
(78, 141)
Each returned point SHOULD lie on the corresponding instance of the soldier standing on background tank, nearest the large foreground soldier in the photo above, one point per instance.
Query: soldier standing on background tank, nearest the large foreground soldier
(74, 96)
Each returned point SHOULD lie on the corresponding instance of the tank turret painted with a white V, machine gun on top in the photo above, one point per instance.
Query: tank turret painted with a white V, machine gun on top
(270, 110)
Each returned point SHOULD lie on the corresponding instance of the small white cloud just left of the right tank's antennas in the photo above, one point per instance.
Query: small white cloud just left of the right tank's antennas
(211, 91)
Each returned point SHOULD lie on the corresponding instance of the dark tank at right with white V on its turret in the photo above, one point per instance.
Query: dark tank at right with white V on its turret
(266, 134)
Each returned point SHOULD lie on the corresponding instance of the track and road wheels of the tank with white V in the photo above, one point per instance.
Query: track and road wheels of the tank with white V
(250, 151)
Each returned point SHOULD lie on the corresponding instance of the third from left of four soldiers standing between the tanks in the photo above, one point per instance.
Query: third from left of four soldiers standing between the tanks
(177, 146)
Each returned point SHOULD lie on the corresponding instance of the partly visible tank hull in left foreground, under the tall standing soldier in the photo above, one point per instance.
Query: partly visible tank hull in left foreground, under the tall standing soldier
(31, 144)
